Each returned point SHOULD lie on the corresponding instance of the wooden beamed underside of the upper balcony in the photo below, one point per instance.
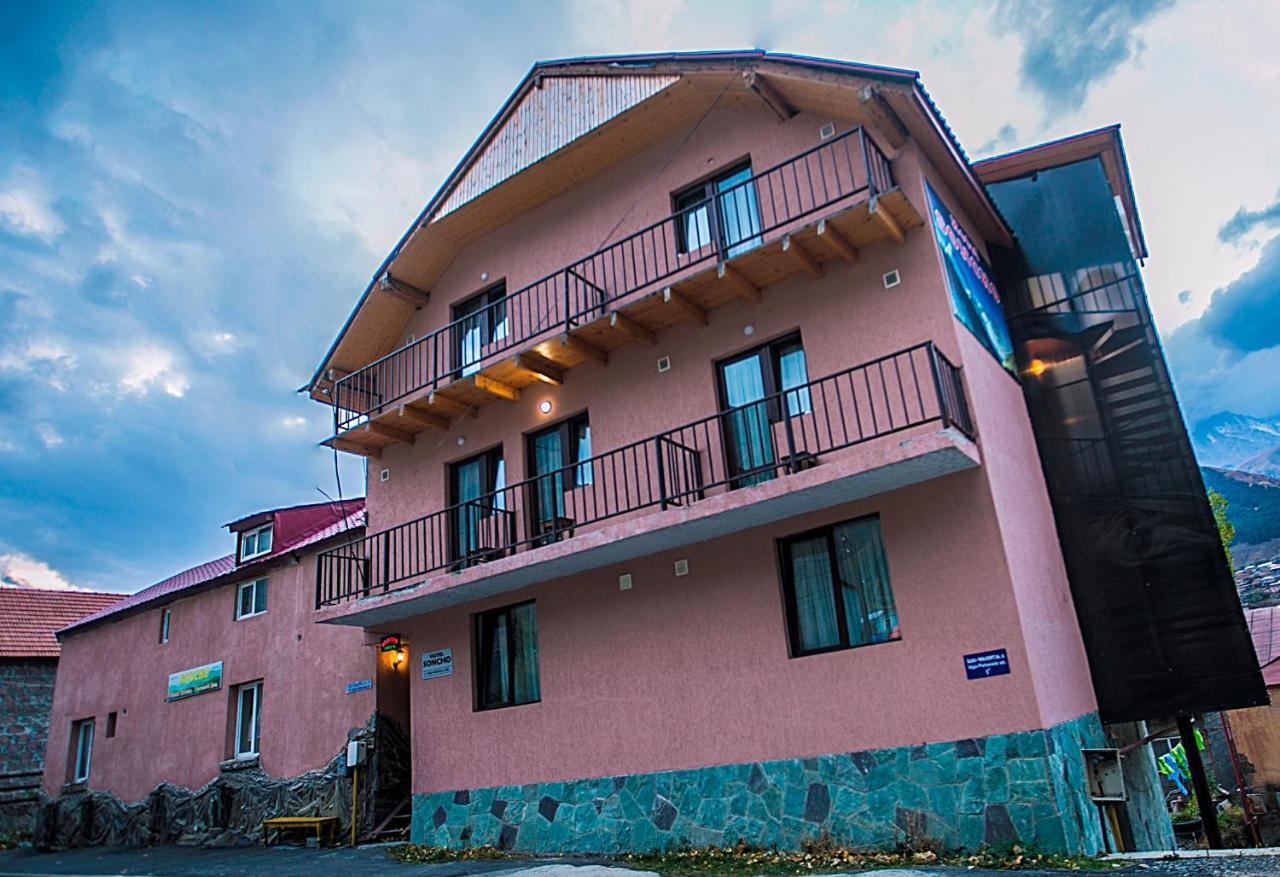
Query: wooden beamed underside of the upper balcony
(638, 319)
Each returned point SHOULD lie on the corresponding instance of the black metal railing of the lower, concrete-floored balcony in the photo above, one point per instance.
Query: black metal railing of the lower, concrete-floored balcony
(738, 447)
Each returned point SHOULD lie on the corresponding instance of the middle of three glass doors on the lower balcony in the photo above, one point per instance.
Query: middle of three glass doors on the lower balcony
(556, 460)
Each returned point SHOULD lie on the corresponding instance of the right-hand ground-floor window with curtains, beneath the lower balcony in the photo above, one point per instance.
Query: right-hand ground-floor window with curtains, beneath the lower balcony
(836, 587)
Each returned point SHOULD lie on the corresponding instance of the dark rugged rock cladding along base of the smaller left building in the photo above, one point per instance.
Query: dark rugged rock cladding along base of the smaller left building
(231, 809)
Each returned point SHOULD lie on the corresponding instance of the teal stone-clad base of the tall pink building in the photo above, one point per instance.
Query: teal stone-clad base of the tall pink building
(1014, 788)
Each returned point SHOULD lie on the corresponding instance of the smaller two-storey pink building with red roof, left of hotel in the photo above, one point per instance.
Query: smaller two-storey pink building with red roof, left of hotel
(217, 674)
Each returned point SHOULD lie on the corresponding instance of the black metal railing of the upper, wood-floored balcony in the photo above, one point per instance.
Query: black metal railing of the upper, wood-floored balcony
(734, 221)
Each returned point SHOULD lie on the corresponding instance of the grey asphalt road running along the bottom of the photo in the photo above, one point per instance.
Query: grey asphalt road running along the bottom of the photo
(298, 862)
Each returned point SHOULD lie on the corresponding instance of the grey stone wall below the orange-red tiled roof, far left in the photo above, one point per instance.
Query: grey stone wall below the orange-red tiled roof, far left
(26, 700)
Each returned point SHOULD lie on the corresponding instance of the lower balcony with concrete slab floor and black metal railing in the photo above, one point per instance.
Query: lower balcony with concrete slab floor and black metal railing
(825, 442)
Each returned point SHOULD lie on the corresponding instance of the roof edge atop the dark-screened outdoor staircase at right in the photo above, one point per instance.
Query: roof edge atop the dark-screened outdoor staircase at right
(1103, 143)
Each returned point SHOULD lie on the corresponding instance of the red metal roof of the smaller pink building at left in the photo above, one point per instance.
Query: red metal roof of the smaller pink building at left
(303, 528)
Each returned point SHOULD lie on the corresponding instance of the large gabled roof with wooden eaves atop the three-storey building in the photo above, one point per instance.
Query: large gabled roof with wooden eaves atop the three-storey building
(648, 98)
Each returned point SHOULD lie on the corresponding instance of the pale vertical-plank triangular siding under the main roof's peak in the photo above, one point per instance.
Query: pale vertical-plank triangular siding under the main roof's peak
(552, 116)
